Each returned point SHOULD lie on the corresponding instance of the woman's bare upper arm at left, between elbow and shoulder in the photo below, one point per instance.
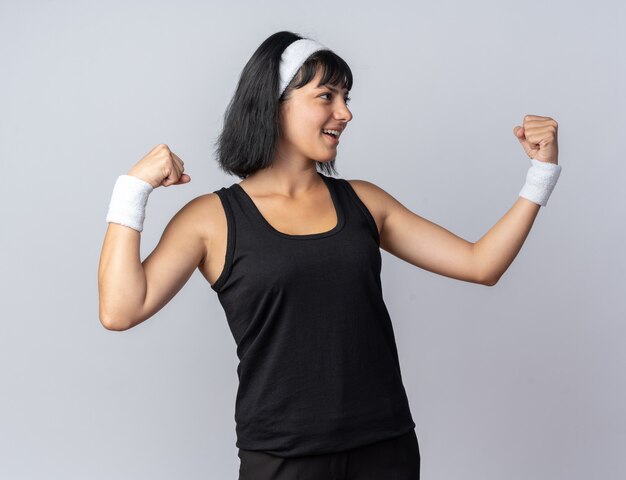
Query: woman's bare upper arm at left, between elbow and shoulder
(179, 252)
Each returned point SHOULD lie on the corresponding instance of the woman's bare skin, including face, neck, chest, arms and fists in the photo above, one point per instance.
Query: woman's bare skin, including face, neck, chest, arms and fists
(293, 199)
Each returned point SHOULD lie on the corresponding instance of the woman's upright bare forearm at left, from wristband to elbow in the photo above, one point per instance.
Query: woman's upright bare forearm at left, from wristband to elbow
(121, 277)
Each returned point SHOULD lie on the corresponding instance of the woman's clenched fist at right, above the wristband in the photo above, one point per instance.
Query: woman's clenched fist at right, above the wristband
(538, 136)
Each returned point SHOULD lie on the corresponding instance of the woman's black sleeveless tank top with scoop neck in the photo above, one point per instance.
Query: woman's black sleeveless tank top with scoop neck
(318, 365)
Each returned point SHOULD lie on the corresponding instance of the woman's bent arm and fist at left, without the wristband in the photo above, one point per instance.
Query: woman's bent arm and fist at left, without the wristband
(130, 291)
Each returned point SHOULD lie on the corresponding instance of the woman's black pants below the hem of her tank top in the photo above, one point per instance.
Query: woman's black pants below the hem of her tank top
(394, 459)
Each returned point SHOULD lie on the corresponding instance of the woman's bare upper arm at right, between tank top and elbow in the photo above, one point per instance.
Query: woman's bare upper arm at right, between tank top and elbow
(427, 245)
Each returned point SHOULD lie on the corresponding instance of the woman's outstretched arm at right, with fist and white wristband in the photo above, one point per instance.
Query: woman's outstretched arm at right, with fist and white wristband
(432, 247)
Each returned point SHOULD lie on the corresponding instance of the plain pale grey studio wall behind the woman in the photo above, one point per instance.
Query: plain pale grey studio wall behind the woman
(521, 380)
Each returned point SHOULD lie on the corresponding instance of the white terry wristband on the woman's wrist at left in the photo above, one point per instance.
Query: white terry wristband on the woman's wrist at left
(128, 202)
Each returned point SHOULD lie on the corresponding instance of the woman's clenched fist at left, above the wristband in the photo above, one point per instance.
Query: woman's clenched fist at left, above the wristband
(161, 167)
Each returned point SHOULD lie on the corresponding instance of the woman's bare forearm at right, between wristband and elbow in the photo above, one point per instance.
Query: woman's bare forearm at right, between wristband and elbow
(497, 249)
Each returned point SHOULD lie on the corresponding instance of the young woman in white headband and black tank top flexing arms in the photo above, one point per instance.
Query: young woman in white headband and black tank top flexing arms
(294, 257)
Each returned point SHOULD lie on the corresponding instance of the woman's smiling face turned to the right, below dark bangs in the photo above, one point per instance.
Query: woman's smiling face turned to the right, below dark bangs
(305, 114)
